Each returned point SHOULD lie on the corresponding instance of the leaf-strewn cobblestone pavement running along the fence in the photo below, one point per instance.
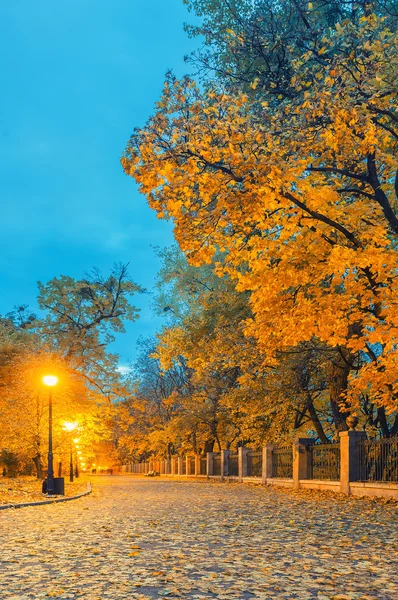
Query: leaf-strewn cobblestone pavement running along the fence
(149, 538)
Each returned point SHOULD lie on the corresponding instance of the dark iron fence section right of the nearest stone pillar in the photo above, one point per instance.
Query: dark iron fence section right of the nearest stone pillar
(378, 459)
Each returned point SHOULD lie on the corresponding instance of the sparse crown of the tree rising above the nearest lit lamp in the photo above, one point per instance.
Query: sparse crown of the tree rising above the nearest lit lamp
(83, 315)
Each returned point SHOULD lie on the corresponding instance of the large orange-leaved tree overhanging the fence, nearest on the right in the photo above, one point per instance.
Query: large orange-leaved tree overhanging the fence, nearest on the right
(296, 189)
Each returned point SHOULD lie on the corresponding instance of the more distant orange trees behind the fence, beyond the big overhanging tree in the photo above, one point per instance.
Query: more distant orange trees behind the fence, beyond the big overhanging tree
(205, 385)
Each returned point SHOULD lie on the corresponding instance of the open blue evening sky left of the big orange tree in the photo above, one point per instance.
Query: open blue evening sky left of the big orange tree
(76, 77)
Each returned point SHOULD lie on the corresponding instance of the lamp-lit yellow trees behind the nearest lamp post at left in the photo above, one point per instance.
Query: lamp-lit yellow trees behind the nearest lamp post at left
(71, 341)
